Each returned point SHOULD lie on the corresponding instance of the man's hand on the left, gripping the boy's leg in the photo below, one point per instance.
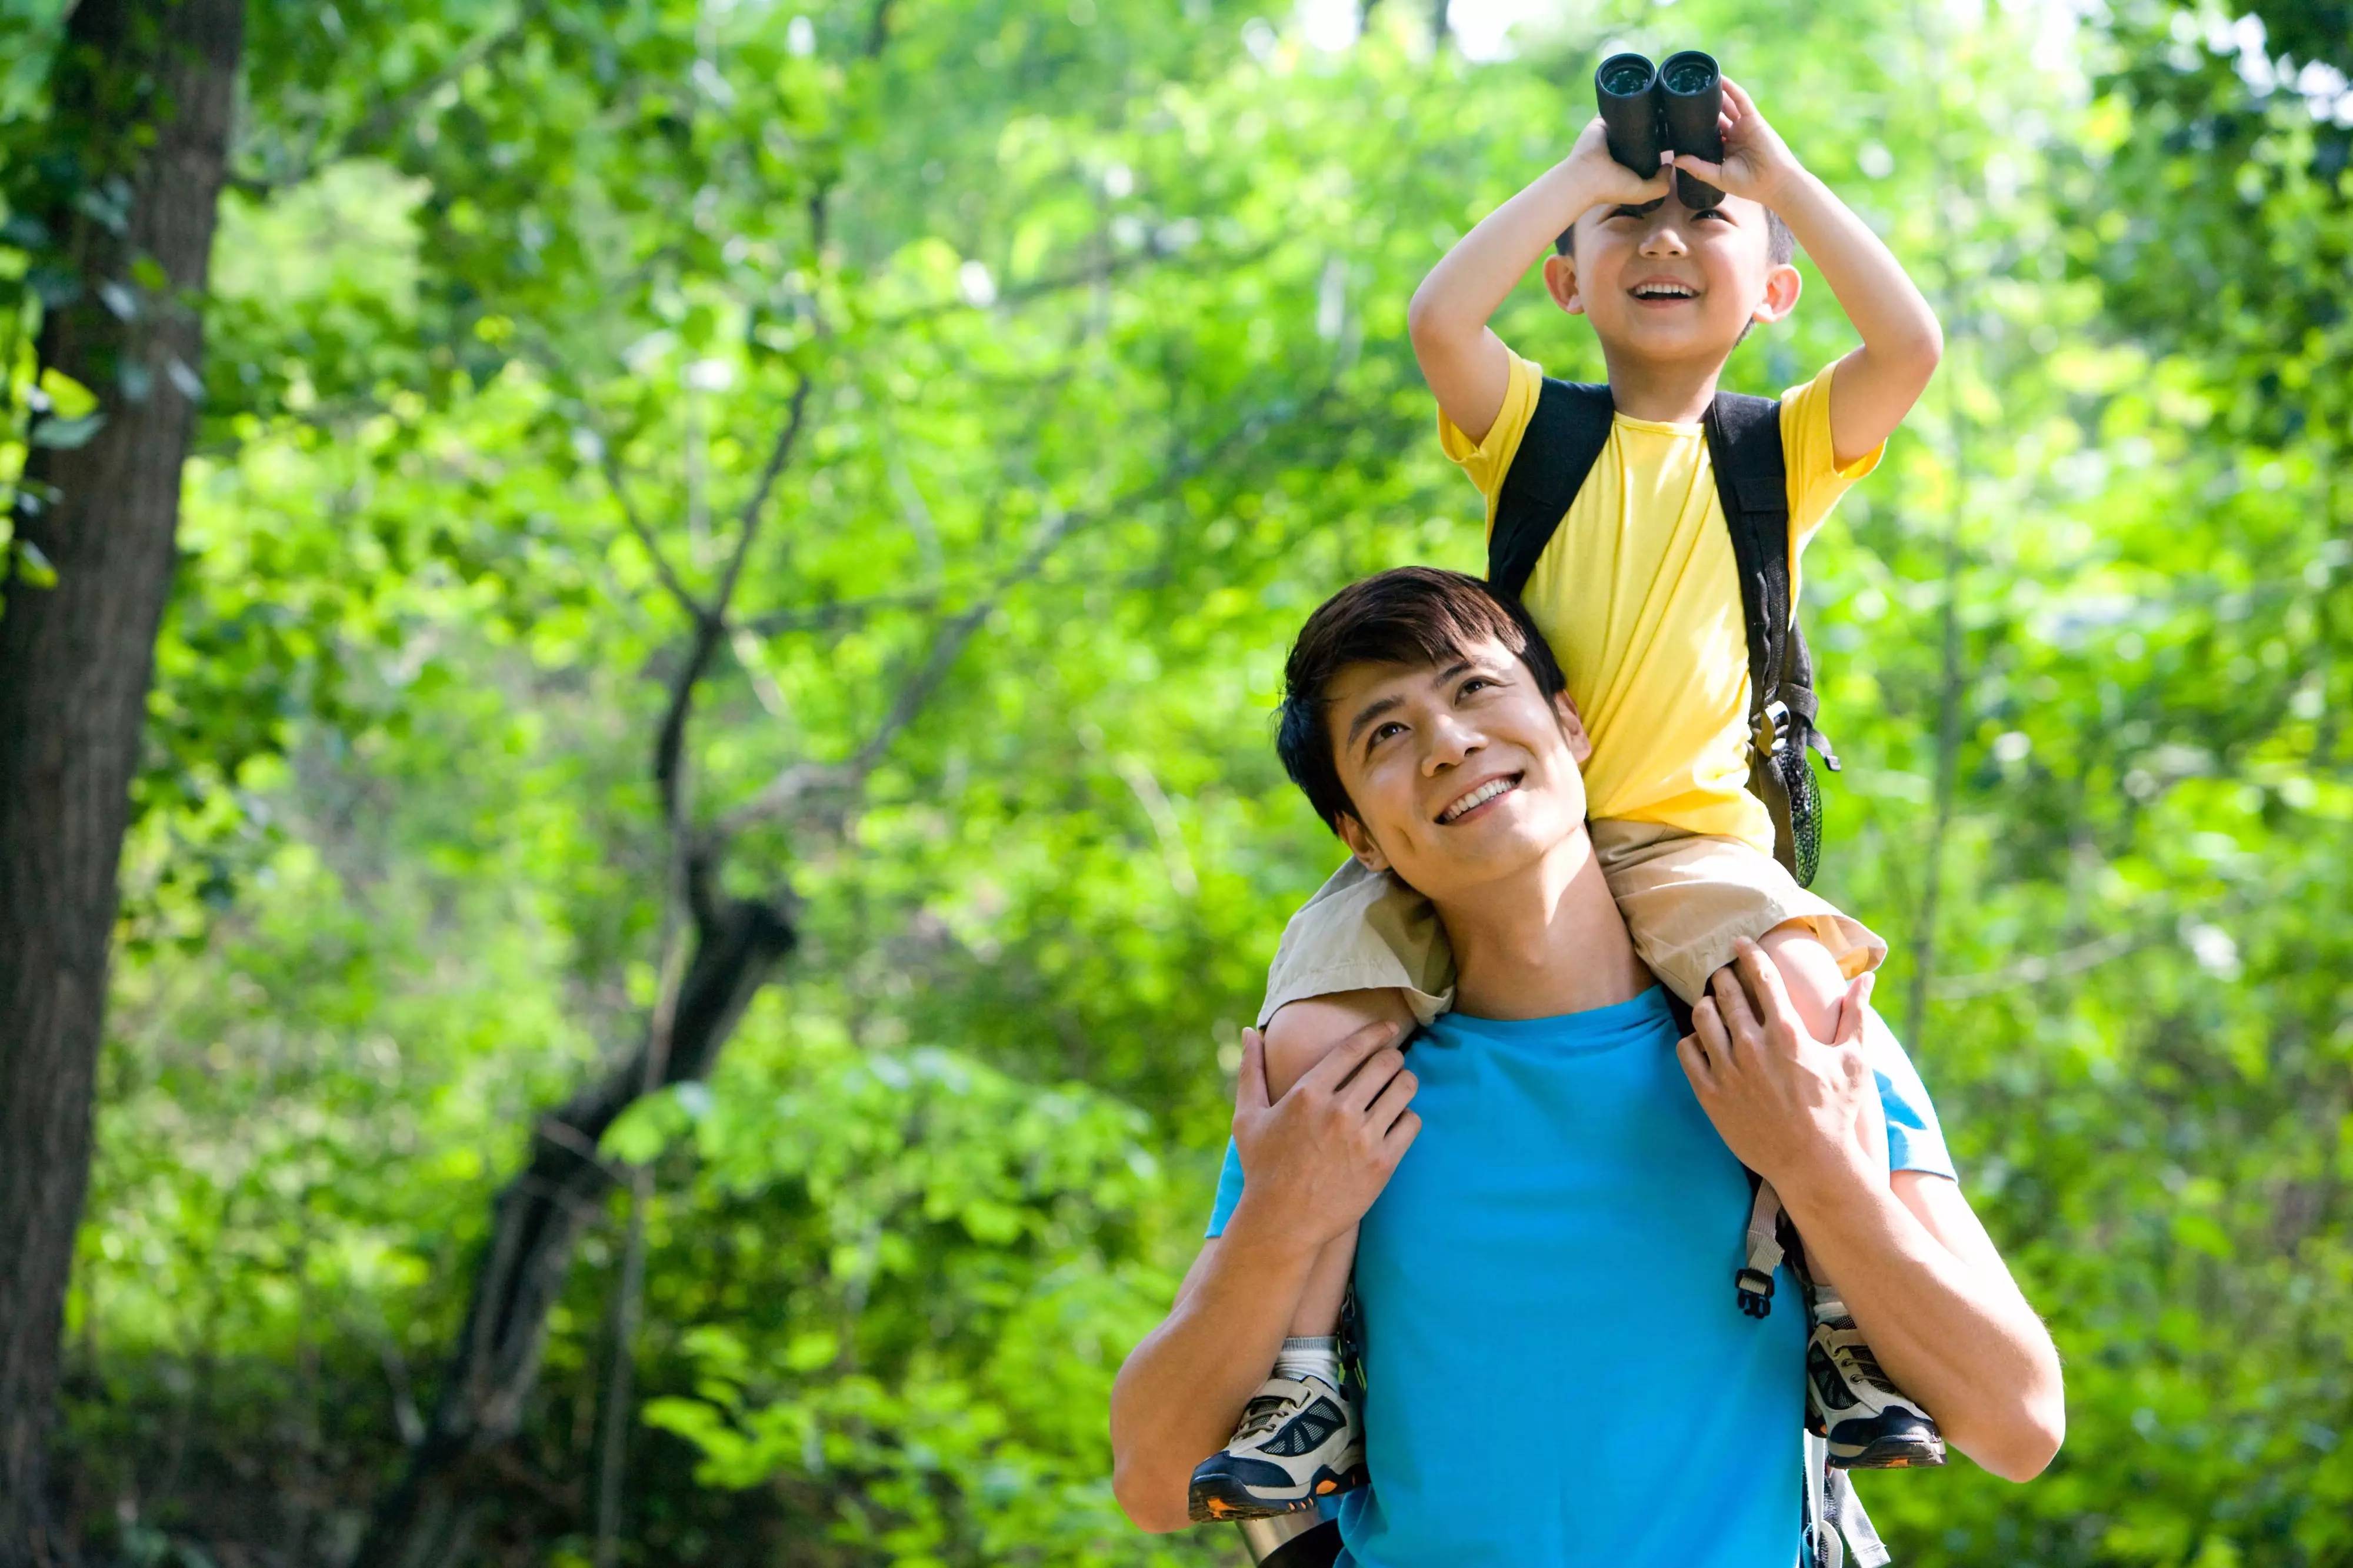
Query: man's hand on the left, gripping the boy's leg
(1319, 1157)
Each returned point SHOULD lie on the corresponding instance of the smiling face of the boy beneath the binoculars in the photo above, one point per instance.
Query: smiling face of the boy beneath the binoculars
(1667, 284)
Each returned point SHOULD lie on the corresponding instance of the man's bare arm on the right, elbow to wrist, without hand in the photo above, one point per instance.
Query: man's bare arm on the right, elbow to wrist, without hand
(1952, 1329)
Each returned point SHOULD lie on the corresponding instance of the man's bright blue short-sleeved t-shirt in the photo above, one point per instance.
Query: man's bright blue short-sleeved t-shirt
(1557, 1371)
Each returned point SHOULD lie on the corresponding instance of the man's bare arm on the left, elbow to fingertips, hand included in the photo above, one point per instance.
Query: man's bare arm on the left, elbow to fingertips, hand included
(1317, 1160)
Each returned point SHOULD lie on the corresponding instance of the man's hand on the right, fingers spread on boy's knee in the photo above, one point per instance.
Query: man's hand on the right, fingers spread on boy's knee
(1801, 1112)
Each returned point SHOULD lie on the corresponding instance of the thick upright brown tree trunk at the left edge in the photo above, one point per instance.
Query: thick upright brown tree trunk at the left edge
(76, 658)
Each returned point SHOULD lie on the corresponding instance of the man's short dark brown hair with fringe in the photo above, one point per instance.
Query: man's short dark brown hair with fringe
(1411, 616)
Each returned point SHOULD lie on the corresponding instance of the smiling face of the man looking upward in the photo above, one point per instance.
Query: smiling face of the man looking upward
(1460, 771)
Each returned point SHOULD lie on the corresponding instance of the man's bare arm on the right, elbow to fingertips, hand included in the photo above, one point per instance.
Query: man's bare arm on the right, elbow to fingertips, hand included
(1914, 1265)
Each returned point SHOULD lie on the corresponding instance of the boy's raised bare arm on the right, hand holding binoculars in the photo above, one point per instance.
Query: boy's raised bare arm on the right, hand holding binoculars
(1902, 343)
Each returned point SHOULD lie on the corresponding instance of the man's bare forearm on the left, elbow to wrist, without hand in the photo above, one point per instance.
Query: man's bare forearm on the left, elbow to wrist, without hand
(1185, 1386)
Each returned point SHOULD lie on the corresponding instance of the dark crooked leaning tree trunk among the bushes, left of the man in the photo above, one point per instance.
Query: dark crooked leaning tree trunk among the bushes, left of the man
(538, 1221)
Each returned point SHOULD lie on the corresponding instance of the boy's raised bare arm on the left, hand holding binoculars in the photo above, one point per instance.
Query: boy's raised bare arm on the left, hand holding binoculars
(1465, 364)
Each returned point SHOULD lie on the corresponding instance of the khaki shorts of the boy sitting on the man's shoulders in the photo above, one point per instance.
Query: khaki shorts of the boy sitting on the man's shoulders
(1688, 901)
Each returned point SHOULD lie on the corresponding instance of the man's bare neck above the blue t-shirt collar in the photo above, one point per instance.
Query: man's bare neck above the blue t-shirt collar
(1547, 941)
